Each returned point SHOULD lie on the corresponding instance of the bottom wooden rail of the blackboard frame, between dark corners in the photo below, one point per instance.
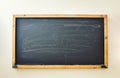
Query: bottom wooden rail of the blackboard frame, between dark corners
(59, 67)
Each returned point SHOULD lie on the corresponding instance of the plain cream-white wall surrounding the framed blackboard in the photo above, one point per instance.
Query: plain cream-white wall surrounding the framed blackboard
(10, 7)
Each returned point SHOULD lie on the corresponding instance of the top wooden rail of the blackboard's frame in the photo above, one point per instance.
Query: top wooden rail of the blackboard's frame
(60, 15)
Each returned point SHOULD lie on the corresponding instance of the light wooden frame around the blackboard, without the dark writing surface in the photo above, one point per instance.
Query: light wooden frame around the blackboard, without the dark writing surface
(61, 66)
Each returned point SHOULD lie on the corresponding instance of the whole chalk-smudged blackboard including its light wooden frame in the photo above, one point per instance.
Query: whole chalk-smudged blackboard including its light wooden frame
(60, 41)
